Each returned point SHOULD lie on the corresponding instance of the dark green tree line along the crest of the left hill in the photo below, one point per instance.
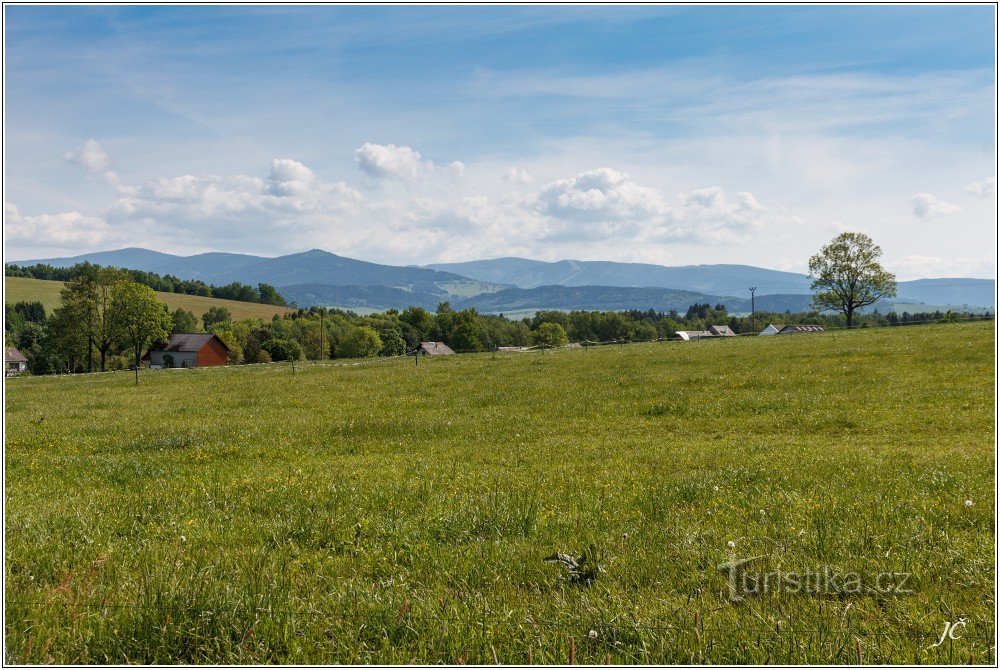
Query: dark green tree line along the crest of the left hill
(264, 294)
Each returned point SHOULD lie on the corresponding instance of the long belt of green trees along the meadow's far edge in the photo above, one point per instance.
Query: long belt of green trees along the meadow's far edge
(106, 321)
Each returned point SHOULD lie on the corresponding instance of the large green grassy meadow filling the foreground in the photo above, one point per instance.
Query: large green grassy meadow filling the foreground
(379, 511)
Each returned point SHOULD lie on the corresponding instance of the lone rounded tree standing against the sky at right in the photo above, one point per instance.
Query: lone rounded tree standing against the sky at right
(847, 275)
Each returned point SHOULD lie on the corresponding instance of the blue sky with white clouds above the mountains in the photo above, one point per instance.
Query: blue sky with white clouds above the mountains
(412, 135)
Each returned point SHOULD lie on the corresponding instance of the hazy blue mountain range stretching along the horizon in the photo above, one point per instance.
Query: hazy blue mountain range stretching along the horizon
(318, 277)
